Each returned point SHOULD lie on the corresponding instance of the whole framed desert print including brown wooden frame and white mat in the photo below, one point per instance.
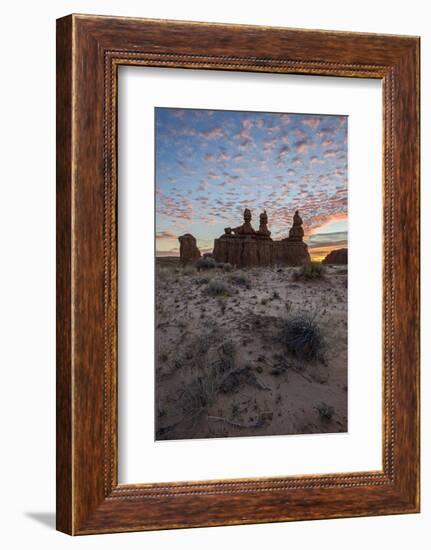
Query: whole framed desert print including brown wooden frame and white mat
(237, 274)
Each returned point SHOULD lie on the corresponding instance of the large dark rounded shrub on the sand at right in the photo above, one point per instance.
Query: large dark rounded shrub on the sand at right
(302, 336)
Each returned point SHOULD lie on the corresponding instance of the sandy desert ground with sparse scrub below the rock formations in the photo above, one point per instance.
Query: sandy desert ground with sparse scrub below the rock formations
(222, 366)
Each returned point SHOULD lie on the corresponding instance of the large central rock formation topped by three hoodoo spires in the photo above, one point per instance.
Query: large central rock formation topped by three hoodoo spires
(243, 246)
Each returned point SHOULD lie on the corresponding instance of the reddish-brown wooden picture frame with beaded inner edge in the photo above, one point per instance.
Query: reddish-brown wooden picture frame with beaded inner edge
(89, 51)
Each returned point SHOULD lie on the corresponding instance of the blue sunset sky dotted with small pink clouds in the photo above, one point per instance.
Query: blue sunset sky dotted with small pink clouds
(211, 165)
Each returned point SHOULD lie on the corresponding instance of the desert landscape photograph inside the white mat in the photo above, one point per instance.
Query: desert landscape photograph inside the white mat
(251, 273)
